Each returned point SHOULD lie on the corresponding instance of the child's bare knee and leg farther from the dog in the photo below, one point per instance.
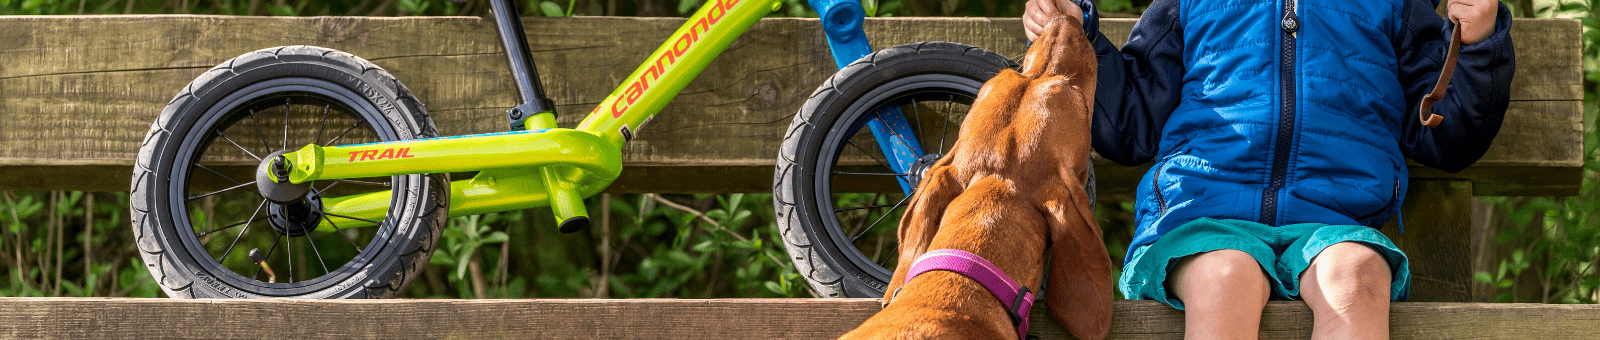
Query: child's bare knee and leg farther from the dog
(1348, 291)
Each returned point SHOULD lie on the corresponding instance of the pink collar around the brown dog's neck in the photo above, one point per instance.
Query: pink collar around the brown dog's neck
(977, 269)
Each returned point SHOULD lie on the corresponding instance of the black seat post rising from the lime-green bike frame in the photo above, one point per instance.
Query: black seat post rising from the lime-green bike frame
(535, 105)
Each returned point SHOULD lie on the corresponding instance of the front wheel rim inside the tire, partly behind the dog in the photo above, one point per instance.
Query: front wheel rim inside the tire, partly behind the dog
(870, 203)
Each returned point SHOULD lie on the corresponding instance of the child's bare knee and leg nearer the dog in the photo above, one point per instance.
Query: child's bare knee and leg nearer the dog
(1223, 294)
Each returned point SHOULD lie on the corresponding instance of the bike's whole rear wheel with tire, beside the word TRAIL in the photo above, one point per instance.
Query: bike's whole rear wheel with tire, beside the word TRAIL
(183, 160)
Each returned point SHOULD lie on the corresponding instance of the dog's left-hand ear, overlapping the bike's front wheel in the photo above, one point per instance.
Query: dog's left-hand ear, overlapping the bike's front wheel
(922, 219)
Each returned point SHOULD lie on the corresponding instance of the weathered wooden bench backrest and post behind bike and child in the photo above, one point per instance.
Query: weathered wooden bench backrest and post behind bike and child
(78, 94)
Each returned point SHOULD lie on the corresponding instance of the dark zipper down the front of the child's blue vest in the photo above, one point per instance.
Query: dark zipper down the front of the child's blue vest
(1286, 137)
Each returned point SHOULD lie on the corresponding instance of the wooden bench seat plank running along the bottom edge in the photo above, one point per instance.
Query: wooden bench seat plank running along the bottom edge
(665, 318)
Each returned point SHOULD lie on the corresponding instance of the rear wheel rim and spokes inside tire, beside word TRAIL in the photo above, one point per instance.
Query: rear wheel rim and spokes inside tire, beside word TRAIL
(223, 150)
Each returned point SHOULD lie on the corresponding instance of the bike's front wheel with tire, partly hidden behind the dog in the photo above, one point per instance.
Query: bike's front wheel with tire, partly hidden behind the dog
(807, 188)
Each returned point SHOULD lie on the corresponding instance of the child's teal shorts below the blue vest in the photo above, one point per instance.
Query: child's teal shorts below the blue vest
(1284, 254)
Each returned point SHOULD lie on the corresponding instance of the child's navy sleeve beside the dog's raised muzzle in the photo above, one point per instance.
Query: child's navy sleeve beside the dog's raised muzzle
(1138, 86)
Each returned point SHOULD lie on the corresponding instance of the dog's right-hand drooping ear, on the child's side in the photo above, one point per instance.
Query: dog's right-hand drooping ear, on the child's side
(1079, 291)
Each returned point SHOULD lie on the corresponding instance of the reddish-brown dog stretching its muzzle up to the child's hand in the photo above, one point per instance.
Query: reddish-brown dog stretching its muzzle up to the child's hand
(1012, 182)
